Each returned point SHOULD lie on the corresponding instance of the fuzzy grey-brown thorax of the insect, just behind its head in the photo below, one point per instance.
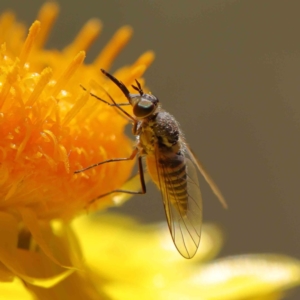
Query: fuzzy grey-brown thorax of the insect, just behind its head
(162, 130)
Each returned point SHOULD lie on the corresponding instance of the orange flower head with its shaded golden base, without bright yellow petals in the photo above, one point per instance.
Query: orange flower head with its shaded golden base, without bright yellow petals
(49, 128)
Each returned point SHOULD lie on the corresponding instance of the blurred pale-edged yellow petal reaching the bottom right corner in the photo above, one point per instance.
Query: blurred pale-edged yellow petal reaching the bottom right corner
(247, 277)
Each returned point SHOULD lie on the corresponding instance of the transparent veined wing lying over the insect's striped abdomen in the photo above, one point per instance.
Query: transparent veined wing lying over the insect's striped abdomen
(178, 183)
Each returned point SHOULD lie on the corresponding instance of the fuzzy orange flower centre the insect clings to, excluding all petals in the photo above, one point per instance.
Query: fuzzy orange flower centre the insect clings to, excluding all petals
(50, 127)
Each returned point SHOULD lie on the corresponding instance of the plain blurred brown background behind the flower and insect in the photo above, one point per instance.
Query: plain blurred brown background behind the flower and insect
(229, 71)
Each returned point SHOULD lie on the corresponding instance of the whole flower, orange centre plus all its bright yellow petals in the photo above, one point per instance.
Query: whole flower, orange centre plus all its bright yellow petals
(50, 127)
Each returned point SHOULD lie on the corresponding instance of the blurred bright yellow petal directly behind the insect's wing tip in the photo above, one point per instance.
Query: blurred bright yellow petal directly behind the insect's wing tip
(129, 252)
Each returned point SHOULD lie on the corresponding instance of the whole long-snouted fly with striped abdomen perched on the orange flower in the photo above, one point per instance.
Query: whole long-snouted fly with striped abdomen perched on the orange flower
(171, 165)
